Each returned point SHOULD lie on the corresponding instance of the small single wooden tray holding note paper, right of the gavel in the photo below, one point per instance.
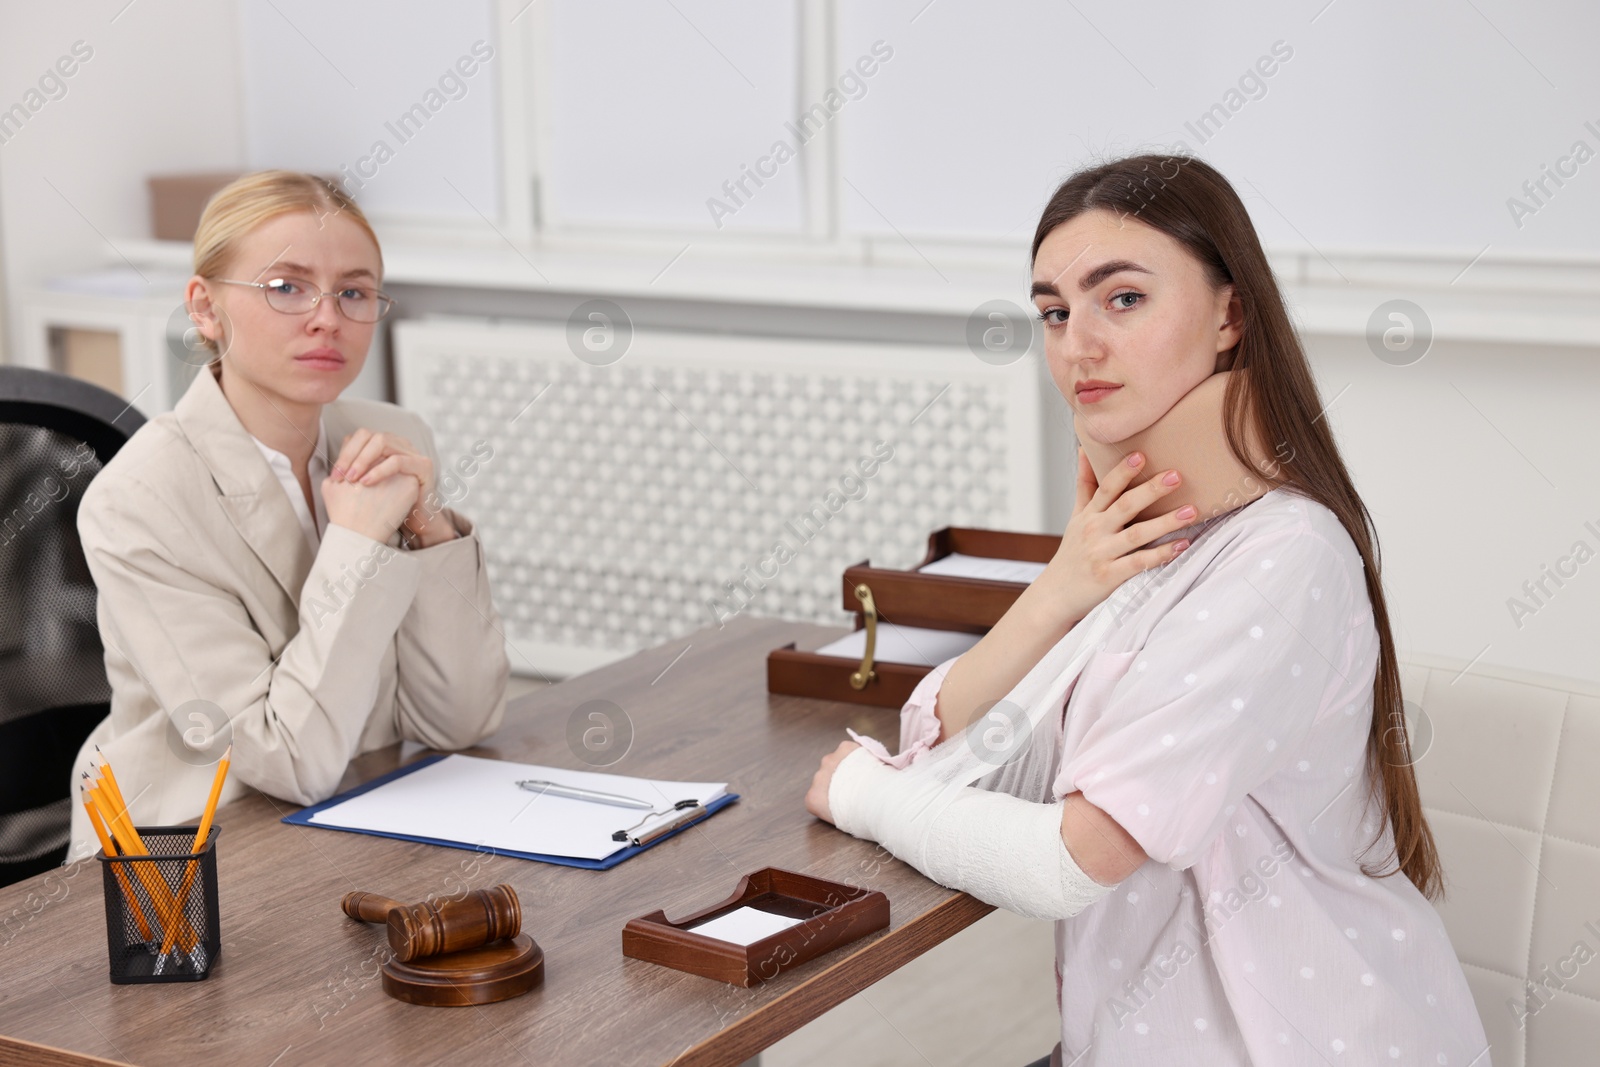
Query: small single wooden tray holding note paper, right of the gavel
(834, 916)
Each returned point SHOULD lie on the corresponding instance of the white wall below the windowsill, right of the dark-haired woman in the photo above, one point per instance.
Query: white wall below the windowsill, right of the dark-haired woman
(1479, 470)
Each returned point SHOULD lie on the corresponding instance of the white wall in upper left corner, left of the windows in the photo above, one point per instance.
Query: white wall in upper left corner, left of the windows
(158, 95)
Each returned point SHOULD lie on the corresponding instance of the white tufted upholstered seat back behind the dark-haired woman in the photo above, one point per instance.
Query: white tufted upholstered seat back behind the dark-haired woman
(1511, 783)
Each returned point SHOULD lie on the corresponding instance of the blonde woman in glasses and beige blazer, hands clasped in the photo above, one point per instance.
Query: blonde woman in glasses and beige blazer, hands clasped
(274, 564)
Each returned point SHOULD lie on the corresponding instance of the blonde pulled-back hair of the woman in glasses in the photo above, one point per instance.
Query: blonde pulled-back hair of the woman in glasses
(250, 201)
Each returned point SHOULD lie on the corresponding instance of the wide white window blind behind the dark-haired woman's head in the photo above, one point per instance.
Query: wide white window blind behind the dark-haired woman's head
(1378, 124)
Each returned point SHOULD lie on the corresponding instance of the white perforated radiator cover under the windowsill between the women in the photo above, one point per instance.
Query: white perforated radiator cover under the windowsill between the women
(630, 505)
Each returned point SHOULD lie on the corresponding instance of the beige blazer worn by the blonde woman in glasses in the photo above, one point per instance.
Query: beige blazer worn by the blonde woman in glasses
(210, 593)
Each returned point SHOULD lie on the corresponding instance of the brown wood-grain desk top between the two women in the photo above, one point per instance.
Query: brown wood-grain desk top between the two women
(298, 981)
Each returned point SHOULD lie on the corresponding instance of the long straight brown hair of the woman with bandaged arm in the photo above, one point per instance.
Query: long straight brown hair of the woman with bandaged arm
(1194, 206)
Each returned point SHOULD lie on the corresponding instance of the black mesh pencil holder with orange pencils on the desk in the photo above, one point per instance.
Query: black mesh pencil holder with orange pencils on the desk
(162, 901)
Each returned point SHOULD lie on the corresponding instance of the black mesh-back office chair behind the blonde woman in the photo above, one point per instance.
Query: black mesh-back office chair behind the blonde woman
(57, 433)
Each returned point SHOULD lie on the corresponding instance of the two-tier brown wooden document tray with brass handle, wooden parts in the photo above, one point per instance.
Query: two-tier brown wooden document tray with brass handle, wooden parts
(937, 602)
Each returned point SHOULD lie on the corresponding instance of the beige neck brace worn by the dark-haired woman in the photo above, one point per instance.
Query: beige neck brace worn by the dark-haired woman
(1193, 441)
